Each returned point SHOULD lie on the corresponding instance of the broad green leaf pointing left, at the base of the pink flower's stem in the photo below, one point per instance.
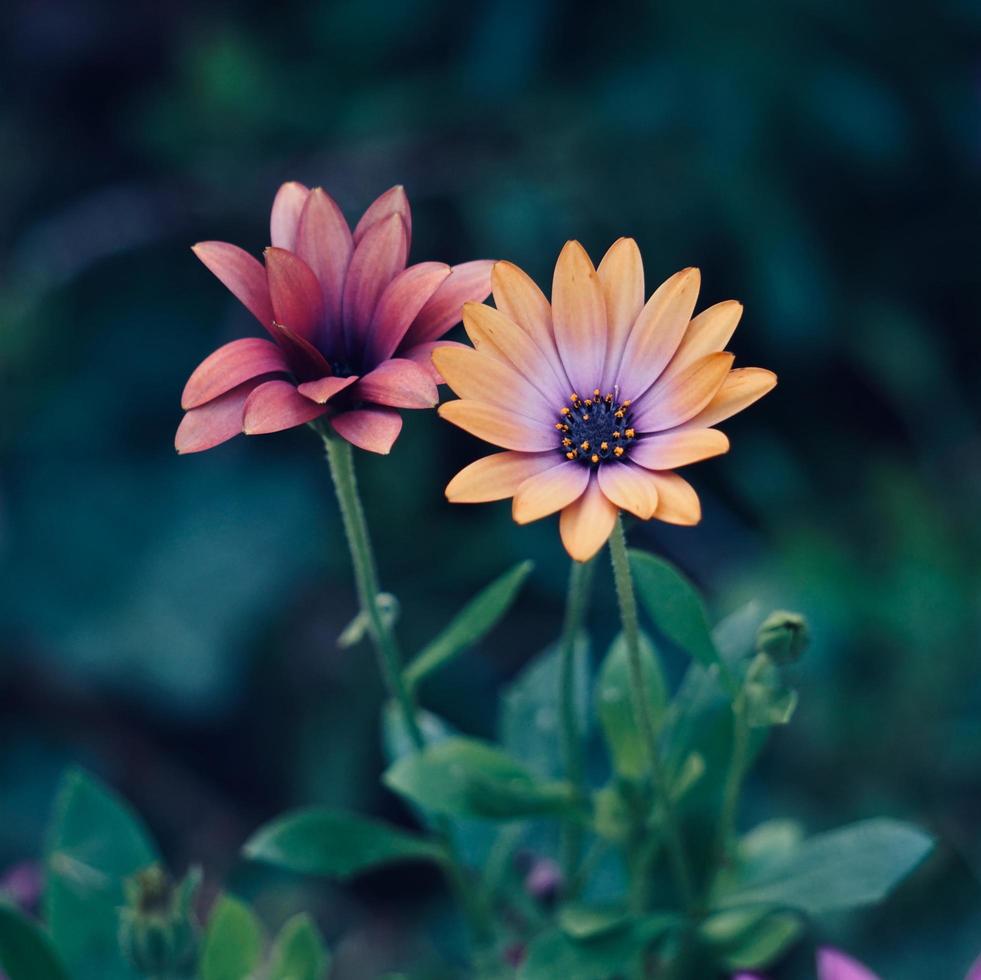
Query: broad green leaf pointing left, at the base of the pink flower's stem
(463, 777)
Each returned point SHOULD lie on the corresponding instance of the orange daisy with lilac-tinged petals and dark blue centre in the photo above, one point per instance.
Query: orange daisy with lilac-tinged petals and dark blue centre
(597, 397)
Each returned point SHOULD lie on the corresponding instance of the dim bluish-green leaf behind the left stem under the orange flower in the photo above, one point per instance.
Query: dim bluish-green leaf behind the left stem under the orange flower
(530, 719)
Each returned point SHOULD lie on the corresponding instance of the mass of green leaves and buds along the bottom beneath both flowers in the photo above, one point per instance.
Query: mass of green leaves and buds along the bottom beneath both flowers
(615, 908)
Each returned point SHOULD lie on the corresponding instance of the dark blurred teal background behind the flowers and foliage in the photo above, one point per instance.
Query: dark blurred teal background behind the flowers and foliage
(170, 622)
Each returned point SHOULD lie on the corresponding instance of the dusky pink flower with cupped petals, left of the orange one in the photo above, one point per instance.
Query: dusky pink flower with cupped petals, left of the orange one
(353, 328)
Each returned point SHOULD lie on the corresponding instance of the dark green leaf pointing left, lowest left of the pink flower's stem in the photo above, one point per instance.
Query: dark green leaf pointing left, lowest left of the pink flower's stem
(334, 843)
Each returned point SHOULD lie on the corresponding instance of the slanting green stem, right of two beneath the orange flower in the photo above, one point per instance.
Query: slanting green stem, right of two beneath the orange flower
(658, 777)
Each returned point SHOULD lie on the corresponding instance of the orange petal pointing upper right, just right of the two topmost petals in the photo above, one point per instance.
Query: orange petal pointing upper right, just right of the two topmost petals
(658, 332)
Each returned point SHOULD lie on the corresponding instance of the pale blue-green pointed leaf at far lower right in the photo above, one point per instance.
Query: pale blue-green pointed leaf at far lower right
(845, 868)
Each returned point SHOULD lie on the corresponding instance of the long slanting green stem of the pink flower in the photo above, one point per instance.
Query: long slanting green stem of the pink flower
(341, 459)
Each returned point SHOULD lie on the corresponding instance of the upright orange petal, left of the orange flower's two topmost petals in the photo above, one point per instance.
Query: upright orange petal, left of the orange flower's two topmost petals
(579, 317)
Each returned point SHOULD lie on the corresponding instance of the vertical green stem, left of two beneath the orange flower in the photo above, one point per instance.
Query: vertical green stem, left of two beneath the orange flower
(580, 580)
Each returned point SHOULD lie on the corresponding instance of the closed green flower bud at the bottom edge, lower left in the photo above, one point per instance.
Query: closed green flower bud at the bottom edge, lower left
(158, 931)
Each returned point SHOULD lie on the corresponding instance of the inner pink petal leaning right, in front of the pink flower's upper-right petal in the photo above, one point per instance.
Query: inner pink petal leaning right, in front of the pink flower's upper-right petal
(378, 257)
